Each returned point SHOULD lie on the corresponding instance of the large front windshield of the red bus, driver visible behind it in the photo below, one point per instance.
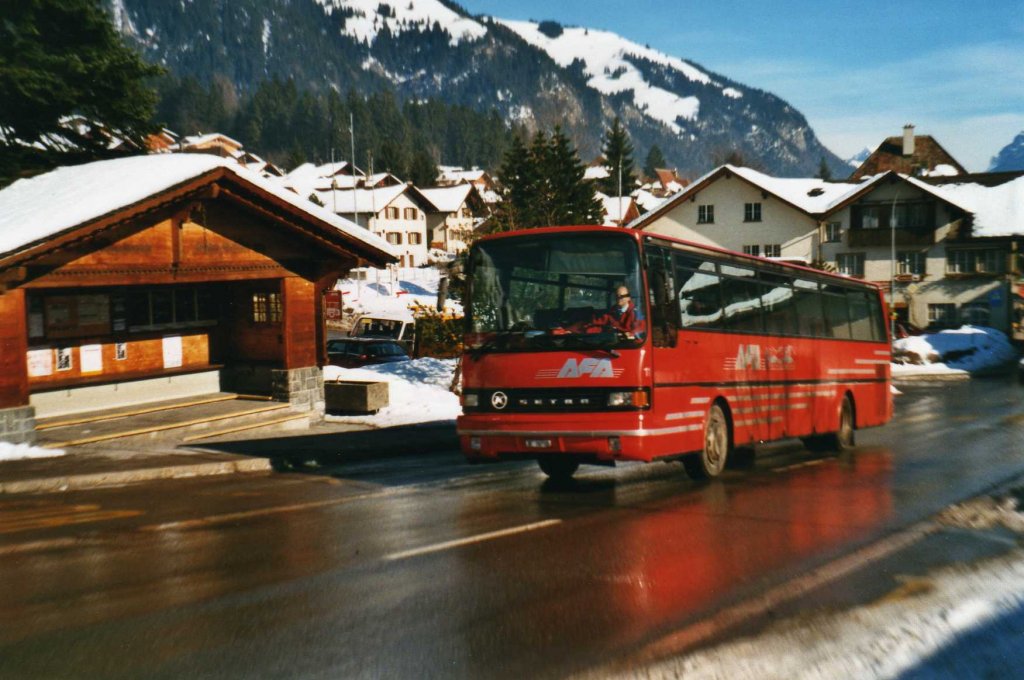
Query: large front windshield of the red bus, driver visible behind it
(556, 292)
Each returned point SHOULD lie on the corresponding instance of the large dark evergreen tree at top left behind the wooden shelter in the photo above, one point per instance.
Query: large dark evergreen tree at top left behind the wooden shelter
(61, 59)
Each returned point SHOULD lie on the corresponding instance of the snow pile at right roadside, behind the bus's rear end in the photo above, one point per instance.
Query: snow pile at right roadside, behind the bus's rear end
(970, 349)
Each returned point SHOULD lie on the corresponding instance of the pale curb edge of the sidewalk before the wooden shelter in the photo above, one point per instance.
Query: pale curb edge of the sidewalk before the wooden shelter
(115, 478)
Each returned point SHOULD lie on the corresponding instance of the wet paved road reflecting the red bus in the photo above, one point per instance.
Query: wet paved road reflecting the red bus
(422, 567)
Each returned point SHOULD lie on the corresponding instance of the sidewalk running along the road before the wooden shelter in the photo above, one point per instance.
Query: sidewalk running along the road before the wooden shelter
(93, 466)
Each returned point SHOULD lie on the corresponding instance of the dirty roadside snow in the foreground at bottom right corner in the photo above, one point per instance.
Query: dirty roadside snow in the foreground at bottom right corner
(962, 622)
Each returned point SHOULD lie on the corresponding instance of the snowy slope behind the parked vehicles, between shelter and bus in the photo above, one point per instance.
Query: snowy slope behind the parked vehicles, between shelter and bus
(393, 292)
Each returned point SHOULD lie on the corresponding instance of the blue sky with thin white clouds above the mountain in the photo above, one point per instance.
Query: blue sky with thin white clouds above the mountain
(859, 71)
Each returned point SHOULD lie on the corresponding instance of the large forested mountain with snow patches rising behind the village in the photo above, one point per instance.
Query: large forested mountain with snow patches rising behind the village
(537, 75)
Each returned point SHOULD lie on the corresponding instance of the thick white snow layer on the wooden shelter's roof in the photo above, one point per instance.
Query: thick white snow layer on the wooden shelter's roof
(36, 209)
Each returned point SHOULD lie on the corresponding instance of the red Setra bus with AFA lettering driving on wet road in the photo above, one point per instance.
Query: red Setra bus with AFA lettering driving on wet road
(724, 352)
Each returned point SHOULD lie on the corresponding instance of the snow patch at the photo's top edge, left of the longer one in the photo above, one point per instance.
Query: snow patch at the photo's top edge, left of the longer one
(401, 16)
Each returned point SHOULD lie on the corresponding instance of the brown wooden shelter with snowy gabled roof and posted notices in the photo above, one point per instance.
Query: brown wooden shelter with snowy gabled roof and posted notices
(157, 277)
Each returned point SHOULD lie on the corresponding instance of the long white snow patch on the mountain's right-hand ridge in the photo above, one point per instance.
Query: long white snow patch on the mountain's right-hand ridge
(605, 56)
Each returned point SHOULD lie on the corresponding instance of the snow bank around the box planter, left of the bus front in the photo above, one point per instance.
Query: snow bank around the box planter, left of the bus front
(418, 392)
